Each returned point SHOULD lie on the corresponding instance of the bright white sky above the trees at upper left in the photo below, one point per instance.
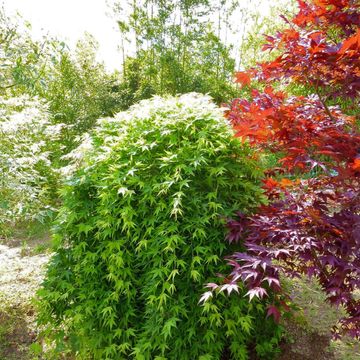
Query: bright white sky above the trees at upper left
(68, 20)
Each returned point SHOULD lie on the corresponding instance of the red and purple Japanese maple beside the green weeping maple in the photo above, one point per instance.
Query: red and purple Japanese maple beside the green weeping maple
(312, 222)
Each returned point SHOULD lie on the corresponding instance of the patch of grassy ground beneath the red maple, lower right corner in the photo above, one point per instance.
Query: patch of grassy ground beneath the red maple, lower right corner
(308, 331)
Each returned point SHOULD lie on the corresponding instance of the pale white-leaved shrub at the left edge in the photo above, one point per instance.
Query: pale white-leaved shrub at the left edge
(27, 141)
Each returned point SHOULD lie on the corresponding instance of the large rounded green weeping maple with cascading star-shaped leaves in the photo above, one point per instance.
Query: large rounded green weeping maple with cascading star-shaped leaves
(141, 230)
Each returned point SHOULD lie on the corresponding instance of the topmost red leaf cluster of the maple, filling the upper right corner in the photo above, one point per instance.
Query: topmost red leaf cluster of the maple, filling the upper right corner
(312, 55)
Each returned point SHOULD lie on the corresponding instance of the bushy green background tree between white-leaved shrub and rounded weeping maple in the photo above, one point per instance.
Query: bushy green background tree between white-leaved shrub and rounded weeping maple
(79, 91)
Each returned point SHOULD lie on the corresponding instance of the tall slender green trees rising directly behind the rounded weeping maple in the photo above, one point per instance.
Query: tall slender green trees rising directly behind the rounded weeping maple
(177, 50)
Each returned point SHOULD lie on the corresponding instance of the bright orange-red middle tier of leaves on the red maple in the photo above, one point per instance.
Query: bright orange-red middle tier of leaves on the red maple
(309, 134)
